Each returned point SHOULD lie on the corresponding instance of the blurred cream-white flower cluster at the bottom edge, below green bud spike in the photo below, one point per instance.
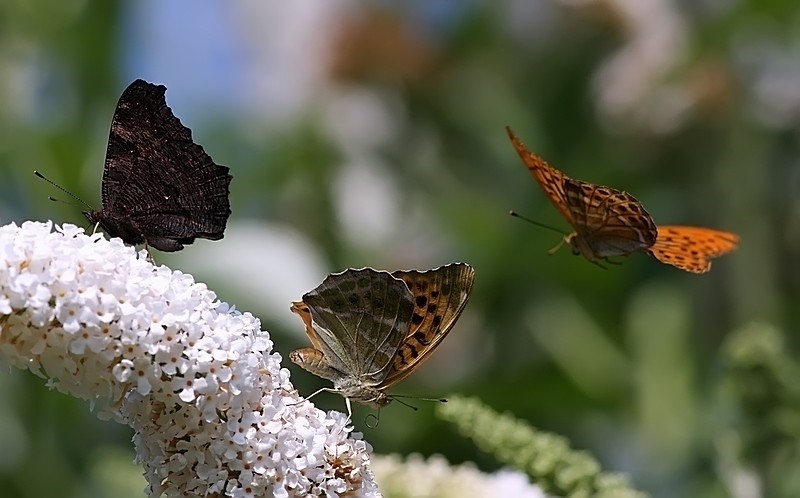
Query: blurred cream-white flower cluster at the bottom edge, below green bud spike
(416, 477)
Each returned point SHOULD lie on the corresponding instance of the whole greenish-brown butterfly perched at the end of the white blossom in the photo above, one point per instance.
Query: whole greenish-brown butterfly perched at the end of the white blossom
(370, 329)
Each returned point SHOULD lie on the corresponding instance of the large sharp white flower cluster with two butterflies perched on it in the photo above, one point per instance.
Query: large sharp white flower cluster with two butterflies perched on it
(214, 412)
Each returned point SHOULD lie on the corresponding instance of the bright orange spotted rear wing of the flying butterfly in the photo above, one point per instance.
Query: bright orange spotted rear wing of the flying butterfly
(691, 248)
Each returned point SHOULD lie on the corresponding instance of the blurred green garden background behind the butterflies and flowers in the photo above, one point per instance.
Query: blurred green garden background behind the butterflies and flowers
(372, 134)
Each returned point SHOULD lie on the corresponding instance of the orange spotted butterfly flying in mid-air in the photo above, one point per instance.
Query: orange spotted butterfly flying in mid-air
(609, 222)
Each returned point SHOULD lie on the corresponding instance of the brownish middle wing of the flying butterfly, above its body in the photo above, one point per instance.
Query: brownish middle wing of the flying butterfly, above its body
(609, 217)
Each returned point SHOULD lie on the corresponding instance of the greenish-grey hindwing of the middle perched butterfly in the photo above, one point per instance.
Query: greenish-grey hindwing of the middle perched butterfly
(360, 318)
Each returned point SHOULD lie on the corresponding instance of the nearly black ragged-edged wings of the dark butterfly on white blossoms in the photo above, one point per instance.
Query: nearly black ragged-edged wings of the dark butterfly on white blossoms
(157, 177)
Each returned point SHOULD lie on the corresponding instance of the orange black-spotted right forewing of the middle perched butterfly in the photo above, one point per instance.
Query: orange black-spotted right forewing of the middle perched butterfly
(440, 296)
